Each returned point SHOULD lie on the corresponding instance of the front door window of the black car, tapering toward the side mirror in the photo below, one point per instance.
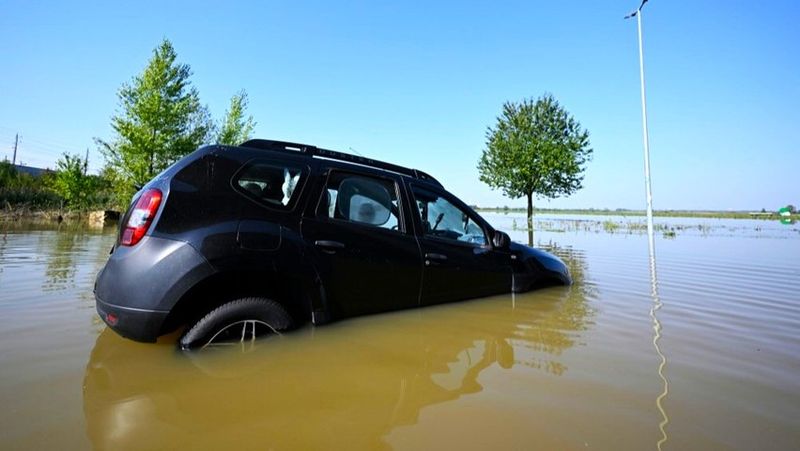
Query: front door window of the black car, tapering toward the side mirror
(442, 219)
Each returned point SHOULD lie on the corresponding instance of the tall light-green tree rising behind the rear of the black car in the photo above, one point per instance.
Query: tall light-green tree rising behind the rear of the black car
(160, 119)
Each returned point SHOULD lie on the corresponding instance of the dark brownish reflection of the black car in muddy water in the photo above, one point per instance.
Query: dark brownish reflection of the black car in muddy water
(333, 388)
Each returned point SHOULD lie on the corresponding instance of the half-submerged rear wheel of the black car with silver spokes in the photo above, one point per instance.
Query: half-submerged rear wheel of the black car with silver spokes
(241, 319)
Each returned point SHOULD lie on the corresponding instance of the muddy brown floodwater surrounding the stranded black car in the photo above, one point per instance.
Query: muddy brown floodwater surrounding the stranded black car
(694, 346)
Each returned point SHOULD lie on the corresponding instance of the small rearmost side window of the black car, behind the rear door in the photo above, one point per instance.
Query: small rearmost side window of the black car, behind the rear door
(271, 184)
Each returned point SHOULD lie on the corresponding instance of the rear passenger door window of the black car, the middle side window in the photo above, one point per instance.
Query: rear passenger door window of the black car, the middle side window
(362, 200)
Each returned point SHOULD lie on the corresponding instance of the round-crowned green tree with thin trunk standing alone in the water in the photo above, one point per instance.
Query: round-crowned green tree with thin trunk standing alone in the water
(535, 148)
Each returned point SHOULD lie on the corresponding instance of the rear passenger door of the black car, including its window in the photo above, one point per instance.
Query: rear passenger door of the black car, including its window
(367, 257)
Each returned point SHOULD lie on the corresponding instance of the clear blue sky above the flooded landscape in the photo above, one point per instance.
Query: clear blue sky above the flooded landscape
(417, 83)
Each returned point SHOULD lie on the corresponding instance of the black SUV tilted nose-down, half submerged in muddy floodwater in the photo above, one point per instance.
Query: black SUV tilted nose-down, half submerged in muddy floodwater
(238, 241)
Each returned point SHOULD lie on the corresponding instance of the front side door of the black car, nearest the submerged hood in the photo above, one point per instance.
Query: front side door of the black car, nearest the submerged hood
(459, 260)
